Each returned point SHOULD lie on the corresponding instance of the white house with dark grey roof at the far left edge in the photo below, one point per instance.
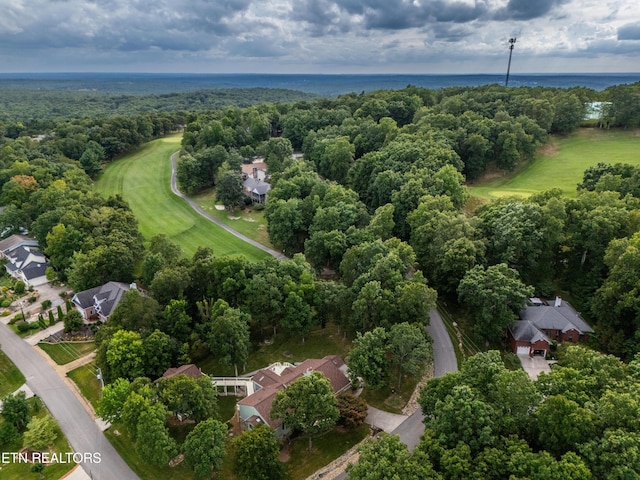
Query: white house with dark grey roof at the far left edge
(24, 260)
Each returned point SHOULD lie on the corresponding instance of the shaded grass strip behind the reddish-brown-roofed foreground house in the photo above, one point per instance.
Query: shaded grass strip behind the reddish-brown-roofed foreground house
(318, 344)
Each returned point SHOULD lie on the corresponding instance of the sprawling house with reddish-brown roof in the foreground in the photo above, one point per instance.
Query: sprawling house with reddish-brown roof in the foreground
(255, 409)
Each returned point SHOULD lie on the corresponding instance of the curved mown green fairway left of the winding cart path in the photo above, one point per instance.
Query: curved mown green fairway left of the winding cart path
(143, 180)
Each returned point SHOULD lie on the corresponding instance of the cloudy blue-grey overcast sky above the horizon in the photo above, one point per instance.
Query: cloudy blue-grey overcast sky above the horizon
(319, 36)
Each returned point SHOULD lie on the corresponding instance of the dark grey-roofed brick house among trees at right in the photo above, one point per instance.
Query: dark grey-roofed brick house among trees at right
(542, 323)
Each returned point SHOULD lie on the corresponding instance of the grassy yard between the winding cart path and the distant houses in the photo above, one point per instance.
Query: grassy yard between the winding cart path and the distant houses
(248, 221)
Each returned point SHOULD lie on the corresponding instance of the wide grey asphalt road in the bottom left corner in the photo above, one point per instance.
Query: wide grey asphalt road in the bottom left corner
(80, 429)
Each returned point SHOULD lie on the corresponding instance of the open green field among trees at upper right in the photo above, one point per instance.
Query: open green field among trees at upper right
(562, 162)
